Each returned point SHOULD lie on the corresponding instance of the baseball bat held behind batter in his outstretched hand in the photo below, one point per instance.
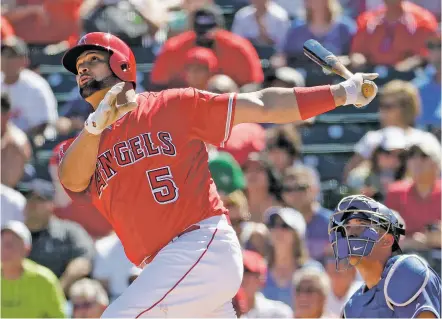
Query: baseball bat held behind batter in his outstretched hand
(320, 55)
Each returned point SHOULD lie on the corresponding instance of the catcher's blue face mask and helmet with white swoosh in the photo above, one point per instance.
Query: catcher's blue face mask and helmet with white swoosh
(358, 239)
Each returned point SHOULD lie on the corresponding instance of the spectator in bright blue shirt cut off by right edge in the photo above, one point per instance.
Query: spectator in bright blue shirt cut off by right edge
(429, 85)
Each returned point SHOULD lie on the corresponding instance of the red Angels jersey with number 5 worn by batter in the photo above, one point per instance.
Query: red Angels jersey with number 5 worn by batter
(152, 179)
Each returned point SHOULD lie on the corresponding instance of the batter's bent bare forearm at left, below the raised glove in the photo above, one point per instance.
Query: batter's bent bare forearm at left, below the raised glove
(78, 163)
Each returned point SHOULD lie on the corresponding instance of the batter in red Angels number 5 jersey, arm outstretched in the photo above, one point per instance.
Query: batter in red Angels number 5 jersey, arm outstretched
(141, 159)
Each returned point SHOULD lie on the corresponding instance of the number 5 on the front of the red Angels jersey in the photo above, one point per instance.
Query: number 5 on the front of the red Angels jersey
(163, 187)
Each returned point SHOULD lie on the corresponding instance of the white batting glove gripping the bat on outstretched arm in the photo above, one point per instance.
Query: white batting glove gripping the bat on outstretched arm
(353, 89)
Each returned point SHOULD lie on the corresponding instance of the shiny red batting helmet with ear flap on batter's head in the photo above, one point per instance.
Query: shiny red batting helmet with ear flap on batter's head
(122, 60)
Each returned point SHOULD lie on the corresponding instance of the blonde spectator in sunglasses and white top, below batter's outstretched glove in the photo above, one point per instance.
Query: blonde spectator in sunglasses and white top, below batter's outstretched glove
(399, 105)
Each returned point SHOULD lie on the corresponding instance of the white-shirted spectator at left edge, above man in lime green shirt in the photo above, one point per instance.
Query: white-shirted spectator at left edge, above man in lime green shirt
(12, 205)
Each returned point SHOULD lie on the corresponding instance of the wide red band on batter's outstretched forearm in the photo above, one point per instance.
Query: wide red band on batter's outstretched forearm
(314, 101)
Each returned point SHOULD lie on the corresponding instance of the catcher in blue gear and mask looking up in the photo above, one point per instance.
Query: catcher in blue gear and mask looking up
(365, 234)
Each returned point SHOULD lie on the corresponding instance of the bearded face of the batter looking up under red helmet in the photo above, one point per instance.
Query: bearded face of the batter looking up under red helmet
(94, 73)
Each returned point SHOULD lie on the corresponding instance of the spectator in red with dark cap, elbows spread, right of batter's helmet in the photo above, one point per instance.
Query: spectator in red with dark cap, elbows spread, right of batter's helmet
(237, 58)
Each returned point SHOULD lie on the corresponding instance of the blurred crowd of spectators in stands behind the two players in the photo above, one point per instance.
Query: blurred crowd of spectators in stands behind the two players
(60, 258)
